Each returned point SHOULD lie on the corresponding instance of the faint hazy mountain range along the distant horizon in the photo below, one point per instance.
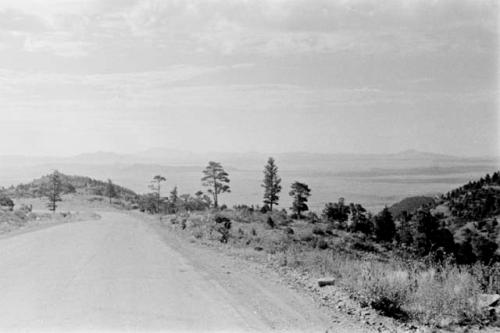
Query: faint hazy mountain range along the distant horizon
(172, 157)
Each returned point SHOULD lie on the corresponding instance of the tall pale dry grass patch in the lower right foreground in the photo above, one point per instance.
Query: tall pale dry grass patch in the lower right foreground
(428, 294)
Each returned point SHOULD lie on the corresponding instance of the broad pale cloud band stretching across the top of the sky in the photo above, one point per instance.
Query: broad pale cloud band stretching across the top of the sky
(272, 28)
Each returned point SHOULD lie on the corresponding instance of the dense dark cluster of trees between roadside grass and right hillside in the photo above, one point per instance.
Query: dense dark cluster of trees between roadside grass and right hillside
(421, 232)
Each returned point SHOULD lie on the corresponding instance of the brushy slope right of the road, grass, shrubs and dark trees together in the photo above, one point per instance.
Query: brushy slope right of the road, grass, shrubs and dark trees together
(410, 268)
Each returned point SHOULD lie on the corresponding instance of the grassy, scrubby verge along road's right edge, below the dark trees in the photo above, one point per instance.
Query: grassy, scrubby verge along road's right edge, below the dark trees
(414, 292)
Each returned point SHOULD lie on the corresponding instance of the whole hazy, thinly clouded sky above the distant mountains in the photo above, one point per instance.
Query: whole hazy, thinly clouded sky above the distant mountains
(272, 76)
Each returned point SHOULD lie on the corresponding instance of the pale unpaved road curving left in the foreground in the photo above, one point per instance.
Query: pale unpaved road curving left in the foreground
(119, 273)
